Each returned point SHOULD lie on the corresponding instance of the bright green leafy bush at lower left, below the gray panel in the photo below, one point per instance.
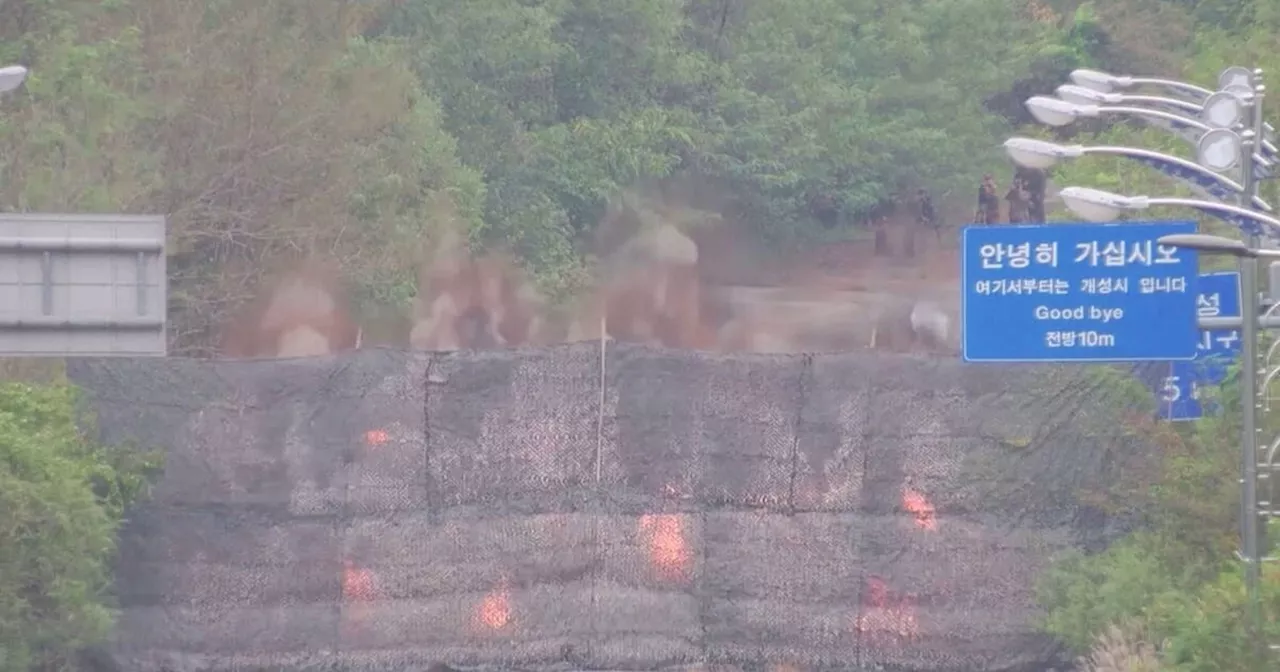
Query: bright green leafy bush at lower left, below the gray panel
(62, 500)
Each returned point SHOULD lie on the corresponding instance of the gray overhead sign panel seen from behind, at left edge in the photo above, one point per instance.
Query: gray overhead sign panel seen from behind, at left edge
(83, 286)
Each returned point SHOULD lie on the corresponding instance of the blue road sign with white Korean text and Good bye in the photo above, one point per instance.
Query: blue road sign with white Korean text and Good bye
(1078, 292)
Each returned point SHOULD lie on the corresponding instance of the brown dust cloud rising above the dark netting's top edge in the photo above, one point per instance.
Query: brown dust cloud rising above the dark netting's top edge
(668, 276)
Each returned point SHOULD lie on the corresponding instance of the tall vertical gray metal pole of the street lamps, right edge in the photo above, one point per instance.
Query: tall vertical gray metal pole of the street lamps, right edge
(1250, 392)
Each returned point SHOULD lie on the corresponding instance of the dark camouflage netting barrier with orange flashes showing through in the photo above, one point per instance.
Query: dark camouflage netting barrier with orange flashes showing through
(500, 510)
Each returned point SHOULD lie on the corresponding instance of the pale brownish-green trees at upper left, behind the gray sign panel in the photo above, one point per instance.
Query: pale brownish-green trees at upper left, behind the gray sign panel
(264, 131)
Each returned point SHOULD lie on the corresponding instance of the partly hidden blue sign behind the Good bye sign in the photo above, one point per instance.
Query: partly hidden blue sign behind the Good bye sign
(1219, 296)
